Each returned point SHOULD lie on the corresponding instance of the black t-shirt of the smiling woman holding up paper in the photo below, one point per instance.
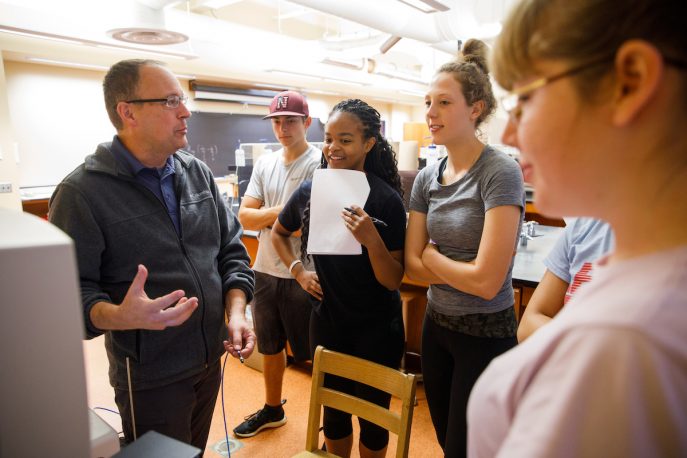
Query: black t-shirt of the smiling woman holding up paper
(352, 294)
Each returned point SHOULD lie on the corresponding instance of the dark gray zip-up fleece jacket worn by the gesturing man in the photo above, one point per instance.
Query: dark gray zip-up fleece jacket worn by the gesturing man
(117, 224)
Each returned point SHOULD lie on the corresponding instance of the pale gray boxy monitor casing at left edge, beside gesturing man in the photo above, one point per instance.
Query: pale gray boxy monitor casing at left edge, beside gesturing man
(43, 405)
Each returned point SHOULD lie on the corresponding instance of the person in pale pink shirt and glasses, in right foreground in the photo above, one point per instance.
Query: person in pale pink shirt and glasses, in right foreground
(597, 104)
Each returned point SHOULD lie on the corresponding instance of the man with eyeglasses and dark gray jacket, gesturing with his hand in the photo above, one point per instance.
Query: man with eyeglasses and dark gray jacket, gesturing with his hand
(160, 259)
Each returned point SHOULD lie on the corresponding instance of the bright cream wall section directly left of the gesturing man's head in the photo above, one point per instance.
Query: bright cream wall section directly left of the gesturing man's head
(58, 116)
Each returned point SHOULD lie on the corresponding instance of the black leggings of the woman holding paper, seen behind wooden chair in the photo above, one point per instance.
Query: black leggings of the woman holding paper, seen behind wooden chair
(382, 344)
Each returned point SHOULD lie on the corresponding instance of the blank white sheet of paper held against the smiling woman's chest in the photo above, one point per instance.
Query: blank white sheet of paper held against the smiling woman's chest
(332, 190)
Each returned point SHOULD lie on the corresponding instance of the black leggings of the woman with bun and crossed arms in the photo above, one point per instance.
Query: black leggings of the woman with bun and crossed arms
(451, 363)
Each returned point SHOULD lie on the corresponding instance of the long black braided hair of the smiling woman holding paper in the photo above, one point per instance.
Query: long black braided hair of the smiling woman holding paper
(380, 160)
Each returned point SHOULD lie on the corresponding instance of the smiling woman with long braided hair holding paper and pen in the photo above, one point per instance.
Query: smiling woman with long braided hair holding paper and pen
(356, 302)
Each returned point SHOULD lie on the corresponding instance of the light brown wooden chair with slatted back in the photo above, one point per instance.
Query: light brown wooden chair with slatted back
(381, 377)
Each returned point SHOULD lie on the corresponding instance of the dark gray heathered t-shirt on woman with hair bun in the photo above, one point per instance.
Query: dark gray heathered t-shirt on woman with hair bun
(455, 219)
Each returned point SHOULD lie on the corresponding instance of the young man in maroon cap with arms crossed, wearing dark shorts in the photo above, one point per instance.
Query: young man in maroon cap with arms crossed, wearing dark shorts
(281, 308)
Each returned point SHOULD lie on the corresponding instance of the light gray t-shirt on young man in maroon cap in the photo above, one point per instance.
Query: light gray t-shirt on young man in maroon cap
(273, 182)
